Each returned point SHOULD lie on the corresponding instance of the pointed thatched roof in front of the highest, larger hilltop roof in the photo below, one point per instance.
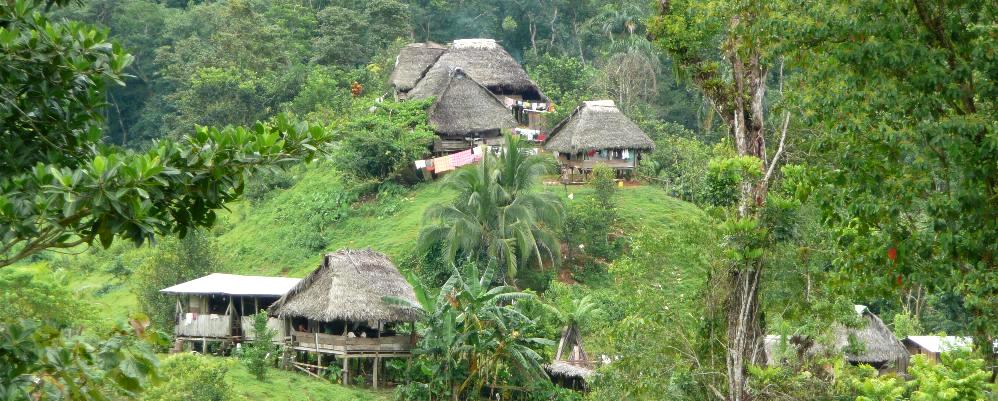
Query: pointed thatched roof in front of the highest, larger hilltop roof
(463, 106)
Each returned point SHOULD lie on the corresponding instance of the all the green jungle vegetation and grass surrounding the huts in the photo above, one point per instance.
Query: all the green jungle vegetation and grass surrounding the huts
(809, 157)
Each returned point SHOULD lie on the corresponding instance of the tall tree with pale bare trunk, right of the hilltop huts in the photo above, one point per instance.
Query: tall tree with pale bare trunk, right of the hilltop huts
(728, 51)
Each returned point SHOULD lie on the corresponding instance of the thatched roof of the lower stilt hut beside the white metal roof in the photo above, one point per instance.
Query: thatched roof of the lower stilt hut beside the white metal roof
(350, 285)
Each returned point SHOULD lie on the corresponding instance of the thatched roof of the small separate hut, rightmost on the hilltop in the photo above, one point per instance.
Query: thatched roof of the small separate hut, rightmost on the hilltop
(597, 124)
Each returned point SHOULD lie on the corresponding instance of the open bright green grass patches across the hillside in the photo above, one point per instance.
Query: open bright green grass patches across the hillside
(285, 233)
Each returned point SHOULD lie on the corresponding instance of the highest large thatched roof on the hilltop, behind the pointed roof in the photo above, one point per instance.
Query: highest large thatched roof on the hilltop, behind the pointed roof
(485, 61)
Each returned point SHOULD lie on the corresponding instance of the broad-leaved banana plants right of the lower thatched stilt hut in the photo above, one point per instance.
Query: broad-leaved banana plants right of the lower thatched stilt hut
(477, 336)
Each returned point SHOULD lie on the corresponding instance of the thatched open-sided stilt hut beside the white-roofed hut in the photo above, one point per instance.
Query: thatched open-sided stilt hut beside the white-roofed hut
(340, 310)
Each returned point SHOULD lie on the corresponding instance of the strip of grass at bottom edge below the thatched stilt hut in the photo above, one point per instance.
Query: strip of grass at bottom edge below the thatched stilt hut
(283, 385)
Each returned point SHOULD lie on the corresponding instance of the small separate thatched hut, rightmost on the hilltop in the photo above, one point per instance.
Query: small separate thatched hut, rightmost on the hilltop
(597, 133)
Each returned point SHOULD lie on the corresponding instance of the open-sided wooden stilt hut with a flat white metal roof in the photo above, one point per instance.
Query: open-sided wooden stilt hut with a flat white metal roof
(219, 307)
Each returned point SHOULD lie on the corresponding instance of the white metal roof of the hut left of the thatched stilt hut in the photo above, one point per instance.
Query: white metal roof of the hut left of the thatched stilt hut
(233, 284)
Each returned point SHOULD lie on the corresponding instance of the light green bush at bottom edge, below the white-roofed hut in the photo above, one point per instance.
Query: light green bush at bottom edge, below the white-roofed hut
(191, 377)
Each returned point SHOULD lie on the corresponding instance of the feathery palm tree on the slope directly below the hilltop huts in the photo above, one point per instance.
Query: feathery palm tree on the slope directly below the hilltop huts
(496, 215)
